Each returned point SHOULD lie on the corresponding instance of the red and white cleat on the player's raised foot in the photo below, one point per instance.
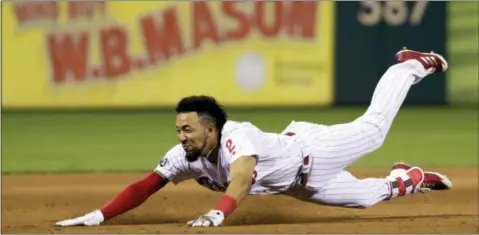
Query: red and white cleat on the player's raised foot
(431, 61)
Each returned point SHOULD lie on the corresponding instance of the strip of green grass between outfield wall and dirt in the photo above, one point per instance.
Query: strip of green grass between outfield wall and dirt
(78, 142)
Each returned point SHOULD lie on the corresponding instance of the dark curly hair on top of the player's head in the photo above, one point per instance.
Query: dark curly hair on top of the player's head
(204, 106)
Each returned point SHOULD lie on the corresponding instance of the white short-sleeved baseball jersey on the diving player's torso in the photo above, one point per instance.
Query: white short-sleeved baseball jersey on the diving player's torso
(279, 160)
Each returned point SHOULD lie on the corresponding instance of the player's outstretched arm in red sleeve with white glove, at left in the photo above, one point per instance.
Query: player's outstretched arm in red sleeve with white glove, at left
(131, 197)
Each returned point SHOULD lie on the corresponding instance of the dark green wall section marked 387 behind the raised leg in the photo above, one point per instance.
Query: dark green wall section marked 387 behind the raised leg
(370, 33)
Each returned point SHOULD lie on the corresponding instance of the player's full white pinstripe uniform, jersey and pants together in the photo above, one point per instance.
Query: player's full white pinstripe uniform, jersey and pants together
(332, 149)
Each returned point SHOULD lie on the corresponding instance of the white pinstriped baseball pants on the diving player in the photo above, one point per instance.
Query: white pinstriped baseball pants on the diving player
(333, 148)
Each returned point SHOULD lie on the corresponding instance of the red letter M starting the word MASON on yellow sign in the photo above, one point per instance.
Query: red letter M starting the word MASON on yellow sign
(165, 39)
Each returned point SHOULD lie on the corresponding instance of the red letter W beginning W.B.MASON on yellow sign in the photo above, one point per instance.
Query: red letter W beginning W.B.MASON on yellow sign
(68, 53)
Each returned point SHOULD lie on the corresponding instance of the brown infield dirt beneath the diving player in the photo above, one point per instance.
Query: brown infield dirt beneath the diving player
(32, 204)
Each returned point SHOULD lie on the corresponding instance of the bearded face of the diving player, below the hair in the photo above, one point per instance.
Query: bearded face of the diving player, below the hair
(193, 134)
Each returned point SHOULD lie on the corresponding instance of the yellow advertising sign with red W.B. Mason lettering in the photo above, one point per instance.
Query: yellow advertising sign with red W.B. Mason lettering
(147, 53)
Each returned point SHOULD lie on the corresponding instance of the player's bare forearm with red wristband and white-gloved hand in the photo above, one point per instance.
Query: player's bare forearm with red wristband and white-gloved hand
(241, 172)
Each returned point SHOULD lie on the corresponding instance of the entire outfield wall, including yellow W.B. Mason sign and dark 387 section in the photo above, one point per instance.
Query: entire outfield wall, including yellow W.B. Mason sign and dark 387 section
(73, 55)
